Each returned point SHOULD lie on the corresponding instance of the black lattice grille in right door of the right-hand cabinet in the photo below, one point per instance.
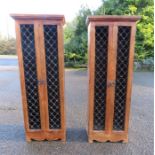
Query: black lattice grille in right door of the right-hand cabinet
(123, 46)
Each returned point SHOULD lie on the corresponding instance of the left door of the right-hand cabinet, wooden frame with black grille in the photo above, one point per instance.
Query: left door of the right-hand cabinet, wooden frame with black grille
(100, 65)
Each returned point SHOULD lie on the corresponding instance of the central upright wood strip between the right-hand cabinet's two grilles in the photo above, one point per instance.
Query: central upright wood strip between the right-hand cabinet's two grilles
(111, 78)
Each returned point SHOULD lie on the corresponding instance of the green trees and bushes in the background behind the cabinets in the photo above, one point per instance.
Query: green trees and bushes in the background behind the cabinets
(75, 32)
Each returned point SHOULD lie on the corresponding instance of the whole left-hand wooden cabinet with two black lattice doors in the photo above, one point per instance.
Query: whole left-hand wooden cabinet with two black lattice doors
(41, 64)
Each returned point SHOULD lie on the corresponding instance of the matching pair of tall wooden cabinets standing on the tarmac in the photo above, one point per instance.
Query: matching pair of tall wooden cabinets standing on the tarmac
(41, 62)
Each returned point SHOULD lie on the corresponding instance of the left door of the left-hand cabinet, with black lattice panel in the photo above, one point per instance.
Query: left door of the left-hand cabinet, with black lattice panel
(28, 71)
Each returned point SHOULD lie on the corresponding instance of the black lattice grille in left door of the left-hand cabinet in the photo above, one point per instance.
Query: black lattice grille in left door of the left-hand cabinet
(29, 59)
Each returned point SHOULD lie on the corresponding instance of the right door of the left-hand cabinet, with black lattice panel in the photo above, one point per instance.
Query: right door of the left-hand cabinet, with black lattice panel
(54, 75)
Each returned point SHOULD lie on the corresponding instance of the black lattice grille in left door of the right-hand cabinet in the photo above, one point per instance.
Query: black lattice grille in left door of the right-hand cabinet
(101, 49)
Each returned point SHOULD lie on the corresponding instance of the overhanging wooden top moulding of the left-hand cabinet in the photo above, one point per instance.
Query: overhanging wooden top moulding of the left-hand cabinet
(60, 18)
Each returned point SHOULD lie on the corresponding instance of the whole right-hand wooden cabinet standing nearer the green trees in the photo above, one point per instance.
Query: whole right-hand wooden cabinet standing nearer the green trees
(111, 42)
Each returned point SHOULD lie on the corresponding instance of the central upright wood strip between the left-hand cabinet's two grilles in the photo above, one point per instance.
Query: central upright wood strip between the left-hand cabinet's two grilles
(42, 68)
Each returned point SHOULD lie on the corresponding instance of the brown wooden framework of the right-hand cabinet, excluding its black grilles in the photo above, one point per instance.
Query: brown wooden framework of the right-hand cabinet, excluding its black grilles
(113, 22)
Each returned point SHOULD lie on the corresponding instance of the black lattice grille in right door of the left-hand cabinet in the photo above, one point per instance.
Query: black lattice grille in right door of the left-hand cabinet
(51, 47)
